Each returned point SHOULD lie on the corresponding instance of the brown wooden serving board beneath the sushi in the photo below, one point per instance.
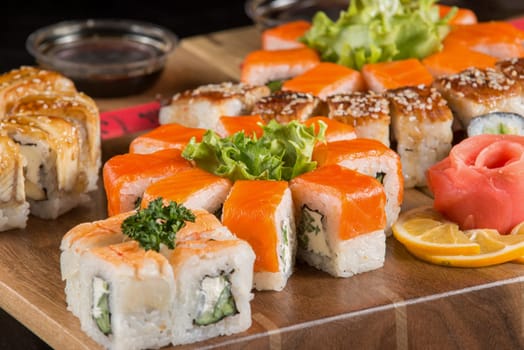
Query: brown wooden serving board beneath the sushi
(407, 304)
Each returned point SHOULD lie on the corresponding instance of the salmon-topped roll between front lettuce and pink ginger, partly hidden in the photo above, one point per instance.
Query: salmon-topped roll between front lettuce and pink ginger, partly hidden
(372, 158)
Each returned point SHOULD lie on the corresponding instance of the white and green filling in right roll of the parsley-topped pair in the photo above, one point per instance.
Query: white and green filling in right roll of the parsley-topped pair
(215, 300)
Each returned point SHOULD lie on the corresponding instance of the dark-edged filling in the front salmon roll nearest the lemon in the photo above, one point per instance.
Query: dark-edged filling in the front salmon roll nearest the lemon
(311, 235)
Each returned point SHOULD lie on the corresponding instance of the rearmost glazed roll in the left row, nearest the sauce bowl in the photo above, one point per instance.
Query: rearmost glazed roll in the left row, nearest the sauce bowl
(27, 80)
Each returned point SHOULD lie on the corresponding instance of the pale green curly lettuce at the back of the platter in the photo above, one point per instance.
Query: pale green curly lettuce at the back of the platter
(373, 31)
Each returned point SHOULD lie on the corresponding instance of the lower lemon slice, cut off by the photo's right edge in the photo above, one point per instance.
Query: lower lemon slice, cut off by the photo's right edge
(494, 249)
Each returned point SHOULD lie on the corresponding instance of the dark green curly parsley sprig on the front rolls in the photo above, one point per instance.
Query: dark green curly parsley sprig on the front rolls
(157, 224)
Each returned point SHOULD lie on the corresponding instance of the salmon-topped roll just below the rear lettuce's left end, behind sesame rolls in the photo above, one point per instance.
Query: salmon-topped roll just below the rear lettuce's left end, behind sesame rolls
(326, 79)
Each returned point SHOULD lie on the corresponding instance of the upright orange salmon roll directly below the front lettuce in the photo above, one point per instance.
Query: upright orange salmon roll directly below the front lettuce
(261, 212)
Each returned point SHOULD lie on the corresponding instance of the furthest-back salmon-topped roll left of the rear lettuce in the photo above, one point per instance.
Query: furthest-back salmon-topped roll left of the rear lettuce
(285, 36)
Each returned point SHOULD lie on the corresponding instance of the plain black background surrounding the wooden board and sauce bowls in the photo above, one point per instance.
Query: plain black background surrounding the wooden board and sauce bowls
(185, 18)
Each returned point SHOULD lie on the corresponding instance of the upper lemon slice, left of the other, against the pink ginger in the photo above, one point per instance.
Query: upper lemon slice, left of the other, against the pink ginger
(425, 231)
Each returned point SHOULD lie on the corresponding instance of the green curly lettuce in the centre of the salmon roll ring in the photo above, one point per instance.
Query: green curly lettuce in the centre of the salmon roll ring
(281, 153)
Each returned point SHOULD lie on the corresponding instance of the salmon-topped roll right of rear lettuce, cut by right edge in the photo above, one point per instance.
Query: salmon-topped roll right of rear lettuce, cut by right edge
(498, 39)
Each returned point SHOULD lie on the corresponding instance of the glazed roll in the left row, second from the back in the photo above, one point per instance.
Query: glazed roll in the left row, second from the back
(78, 109)
